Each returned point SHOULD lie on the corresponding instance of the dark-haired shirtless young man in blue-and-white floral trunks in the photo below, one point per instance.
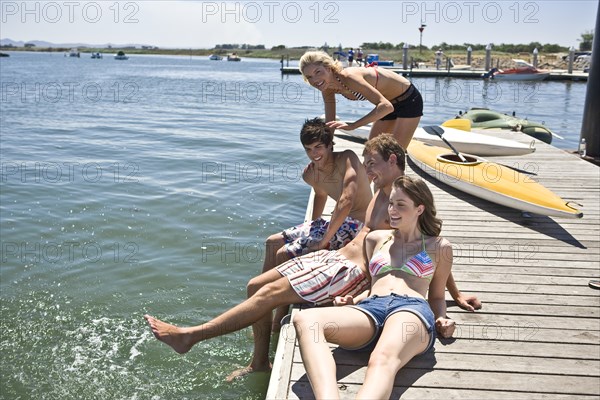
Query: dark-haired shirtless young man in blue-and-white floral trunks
(339, 175)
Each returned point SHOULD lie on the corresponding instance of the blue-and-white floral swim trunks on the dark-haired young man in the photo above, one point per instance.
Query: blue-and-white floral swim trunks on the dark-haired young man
(300, 237)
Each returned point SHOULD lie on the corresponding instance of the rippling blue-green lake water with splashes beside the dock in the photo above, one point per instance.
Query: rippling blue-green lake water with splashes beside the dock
(149, 185)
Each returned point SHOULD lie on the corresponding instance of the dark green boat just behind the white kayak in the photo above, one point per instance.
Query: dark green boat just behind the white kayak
(484, 118)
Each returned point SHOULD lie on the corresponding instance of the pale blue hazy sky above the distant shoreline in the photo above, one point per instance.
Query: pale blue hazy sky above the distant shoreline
(204, 24)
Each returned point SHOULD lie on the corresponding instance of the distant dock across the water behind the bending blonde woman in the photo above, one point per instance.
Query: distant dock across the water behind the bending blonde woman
(557, 75)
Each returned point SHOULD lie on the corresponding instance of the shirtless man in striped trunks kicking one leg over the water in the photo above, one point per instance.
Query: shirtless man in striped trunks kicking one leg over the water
(314, 278)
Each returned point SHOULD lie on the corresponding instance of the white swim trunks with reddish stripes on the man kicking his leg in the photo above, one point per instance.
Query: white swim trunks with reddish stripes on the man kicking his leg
(321, 276)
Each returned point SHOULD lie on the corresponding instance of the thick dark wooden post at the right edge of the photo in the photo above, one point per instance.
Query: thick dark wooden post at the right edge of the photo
(590, 127)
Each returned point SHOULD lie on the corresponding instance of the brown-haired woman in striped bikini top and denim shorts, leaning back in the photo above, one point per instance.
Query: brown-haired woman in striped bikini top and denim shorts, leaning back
(407, 263)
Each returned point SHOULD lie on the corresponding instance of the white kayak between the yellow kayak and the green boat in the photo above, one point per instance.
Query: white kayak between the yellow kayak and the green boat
(465, 142)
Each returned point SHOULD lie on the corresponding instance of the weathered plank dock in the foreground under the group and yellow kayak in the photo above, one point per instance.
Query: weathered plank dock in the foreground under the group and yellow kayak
(538, 334)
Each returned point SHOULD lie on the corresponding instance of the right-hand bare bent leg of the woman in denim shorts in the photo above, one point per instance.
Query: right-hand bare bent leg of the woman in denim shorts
(404, 336)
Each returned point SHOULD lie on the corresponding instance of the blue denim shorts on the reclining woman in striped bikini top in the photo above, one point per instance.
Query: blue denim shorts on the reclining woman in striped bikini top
(380, 308)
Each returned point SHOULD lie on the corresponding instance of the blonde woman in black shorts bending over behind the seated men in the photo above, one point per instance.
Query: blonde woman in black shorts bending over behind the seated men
(398, 103)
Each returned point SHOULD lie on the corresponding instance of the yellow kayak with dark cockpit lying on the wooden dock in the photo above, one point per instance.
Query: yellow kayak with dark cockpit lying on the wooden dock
(489, 181)
